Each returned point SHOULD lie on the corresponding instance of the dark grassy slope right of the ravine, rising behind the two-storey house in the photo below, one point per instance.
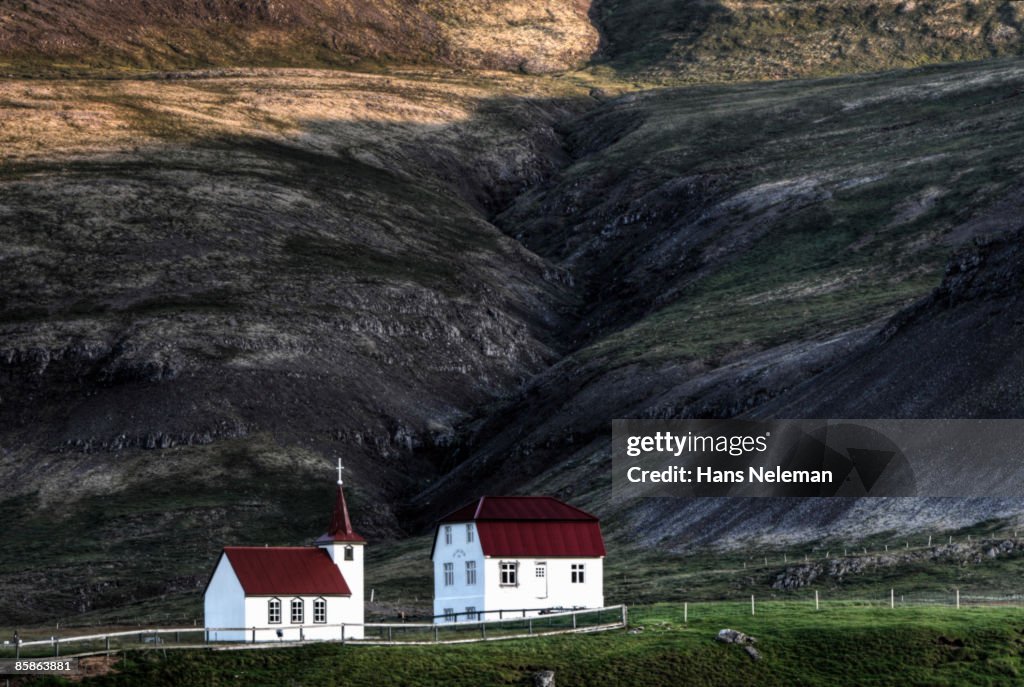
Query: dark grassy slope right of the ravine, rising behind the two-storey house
(736, 246)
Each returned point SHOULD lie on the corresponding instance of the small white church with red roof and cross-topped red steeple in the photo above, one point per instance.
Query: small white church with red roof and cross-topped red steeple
(290, 593)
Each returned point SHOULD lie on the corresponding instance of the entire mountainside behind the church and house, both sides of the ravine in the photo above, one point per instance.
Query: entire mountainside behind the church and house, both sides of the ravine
(457, 263)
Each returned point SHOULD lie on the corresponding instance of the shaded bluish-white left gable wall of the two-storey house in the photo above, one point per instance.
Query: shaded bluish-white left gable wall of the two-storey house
(460, 595)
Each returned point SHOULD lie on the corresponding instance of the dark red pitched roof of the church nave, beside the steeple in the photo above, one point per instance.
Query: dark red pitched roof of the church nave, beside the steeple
(269, 571)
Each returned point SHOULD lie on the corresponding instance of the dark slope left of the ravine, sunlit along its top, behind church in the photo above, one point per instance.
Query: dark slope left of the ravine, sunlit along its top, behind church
(210, 288)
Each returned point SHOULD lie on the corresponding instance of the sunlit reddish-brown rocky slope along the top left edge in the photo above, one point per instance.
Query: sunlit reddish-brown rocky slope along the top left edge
(537, 35)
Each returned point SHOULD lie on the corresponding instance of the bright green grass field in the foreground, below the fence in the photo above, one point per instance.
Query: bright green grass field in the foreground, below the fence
(842, 645)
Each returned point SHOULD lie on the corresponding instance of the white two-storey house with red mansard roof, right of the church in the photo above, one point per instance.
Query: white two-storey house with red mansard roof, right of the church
(522, 554)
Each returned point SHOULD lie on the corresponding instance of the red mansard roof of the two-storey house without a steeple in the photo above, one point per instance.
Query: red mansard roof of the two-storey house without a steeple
(531, 527)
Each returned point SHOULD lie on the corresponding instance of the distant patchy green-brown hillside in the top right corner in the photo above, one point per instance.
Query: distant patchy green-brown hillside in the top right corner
(701, 41)
